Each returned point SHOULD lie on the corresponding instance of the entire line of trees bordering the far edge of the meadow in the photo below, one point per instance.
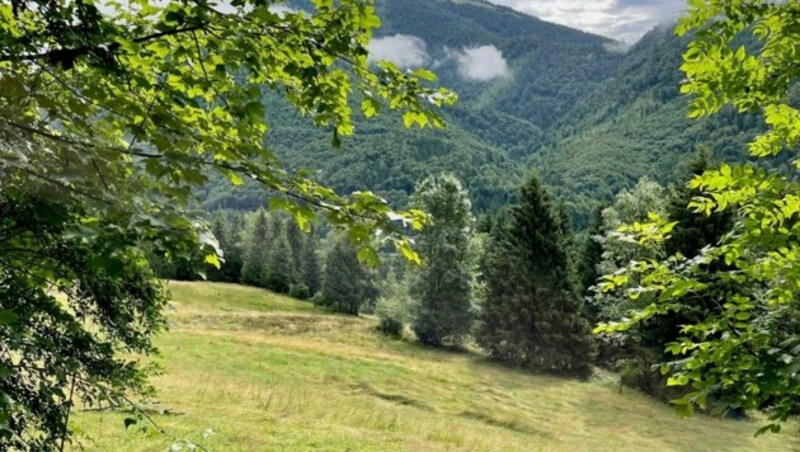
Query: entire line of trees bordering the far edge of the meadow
(519, 283)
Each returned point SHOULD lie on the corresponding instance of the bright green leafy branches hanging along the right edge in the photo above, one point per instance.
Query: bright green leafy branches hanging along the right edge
(744, 352)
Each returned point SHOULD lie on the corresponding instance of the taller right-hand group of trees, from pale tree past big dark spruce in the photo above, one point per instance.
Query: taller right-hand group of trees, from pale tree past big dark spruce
(524, 288)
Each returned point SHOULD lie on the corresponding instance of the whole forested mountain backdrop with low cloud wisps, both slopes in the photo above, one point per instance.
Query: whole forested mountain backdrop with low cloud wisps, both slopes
(533, 96)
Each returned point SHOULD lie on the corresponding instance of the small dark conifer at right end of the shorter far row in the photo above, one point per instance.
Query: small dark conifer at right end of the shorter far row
(346, 284)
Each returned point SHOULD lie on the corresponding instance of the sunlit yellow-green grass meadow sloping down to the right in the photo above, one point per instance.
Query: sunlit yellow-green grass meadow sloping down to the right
(265, 372)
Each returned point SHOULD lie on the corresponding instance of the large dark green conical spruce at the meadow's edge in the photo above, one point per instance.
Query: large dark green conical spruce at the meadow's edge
(531, 317)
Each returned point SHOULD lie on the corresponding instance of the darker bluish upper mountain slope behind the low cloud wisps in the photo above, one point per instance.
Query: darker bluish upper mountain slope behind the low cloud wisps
(550, 66)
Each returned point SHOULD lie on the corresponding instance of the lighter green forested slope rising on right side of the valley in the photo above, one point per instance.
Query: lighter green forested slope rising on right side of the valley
(634, 124)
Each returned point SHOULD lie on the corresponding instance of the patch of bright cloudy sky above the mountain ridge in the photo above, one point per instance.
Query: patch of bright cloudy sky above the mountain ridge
(623, 20)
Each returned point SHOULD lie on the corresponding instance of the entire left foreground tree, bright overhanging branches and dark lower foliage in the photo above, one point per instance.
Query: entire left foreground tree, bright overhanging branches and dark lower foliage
(111, 114)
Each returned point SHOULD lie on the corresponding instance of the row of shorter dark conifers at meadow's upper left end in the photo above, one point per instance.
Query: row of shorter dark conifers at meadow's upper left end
(267, 249)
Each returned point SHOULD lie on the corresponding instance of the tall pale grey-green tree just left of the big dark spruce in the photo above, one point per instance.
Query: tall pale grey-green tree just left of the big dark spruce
(443, 286)
